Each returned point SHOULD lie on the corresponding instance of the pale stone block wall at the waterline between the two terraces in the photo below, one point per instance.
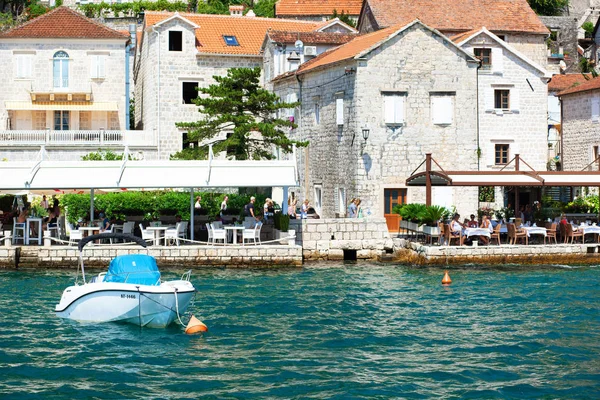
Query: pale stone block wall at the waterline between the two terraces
(328, 238)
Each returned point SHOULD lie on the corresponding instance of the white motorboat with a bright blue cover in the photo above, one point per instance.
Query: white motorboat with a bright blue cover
(130, 291)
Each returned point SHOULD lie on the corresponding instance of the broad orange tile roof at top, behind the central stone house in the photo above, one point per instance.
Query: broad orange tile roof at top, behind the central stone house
(460, 15)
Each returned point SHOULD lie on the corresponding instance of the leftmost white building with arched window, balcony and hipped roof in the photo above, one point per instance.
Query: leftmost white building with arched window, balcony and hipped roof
(65, 88)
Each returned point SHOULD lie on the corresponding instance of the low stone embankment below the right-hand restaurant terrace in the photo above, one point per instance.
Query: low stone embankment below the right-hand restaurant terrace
(419, 254)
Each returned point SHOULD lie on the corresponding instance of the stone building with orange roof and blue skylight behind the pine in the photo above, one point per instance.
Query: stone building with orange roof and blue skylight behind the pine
(180, 52)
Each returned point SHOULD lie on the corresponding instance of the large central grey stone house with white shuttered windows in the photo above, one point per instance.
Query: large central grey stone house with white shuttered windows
(372, 108)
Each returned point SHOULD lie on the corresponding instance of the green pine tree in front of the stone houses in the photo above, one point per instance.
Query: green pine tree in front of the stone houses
(242, 113)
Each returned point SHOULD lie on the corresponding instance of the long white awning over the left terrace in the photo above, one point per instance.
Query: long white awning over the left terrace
(78, 175)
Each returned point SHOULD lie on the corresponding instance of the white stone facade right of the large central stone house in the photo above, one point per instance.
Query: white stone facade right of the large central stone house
(523, 126)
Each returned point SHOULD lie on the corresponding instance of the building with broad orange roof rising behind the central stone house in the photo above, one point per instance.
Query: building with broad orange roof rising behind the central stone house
(511, 20)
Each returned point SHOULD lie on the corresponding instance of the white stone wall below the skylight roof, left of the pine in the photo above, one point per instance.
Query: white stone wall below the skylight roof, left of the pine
(159, 76)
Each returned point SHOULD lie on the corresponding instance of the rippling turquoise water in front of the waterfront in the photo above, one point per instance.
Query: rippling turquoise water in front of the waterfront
(325, 331)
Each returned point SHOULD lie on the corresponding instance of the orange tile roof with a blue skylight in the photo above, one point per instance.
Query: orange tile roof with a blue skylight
(249, 31)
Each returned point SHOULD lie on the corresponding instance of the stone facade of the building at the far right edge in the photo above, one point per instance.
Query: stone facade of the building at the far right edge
(580, 133)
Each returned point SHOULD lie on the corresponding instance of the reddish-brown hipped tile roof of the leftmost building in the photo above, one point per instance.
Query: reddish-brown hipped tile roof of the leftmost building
(62, 22)
